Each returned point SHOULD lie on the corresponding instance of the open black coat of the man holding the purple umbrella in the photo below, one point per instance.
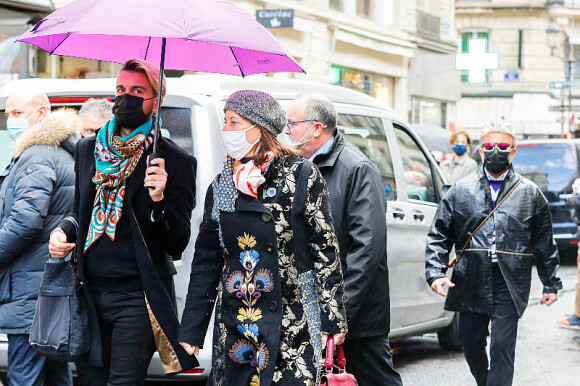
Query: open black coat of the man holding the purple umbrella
(156, 243)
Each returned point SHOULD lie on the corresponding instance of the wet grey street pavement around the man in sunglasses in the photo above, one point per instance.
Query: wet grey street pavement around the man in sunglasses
(546, 354)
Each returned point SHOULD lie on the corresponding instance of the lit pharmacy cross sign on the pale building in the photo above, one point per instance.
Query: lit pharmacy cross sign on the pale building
(477, 60)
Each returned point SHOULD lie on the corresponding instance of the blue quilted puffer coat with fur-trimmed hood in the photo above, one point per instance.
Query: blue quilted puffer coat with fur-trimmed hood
(36, 193)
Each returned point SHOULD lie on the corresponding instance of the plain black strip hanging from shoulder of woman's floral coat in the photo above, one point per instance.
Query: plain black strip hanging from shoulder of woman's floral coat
(303, 263)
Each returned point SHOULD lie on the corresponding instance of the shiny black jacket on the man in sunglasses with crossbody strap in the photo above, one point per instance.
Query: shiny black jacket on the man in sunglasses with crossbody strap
(524, 236)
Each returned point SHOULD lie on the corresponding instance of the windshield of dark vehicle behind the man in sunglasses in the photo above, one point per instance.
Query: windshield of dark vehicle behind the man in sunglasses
(552, 166)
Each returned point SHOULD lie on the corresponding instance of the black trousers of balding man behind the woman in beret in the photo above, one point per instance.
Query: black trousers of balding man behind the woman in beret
(370, 361)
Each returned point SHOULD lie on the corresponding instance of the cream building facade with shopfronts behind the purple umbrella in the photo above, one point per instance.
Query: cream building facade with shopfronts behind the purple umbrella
(400, 52)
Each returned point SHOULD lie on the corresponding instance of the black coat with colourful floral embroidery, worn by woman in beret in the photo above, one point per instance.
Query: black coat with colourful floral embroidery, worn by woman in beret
(261, 335)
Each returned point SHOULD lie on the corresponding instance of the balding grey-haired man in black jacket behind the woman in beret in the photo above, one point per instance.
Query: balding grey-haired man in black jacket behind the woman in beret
(358, 203)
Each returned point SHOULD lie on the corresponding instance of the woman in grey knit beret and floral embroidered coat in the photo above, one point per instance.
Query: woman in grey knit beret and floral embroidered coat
(272, 315)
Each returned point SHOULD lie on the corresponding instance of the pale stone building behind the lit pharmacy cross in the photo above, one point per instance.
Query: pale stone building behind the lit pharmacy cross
(537, 41)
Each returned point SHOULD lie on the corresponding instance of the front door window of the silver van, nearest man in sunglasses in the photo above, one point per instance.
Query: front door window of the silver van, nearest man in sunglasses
(416, 168)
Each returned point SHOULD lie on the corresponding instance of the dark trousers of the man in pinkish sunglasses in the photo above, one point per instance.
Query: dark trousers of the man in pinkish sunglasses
(473, 332)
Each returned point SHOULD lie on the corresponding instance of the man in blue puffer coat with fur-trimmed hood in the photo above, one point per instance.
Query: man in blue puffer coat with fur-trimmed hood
(36, 193)
